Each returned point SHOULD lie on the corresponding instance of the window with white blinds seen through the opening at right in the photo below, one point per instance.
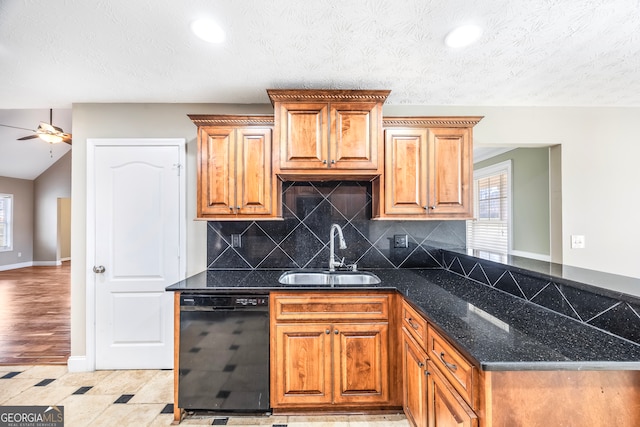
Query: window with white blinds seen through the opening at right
(489, 230)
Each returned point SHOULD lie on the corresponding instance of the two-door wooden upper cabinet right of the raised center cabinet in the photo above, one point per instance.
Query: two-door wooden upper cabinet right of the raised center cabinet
(428, 169)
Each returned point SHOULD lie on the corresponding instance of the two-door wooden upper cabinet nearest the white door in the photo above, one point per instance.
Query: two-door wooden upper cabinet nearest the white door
(235, 178)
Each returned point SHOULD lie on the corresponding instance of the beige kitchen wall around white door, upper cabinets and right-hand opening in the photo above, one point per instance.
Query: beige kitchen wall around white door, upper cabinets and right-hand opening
(599, 176)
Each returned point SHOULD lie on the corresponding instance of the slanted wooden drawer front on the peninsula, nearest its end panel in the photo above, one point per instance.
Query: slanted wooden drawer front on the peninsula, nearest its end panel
(458, 370)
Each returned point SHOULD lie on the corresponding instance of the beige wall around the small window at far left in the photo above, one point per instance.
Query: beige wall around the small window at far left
(22, 190)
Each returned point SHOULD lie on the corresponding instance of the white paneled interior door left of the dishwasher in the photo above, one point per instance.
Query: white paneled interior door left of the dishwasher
(137, 253)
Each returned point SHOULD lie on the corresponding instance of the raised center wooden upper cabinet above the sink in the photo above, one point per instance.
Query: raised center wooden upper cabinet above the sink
(328, 133)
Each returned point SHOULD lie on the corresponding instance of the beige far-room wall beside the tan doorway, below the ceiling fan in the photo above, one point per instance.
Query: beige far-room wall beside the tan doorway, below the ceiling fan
(49, 186)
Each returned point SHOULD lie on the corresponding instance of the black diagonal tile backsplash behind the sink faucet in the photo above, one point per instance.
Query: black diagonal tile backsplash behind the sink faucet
(301, 239)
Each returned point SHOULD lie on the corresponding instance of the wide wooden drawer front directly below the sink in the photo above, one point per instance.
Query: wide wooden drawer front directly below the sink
(291, 307)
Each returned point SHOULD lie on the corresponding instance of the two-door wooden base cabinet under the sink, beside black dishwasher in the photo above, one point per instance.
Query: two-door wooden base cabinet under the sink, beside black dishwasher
(342, 363)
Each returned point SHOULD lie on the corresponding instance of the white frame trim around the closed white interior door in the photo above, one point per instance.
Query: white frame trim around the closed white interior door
(90, 300)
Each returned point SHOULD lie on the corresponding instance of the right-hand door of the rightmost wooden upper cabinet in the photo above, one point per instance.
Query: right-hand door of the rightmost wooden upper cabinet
(450, 173)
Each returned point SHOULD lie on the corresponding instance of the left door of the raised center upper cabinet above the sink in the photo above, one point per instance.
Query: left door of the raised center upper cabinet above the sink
(304, 139)
